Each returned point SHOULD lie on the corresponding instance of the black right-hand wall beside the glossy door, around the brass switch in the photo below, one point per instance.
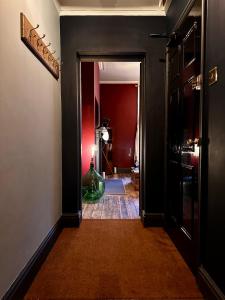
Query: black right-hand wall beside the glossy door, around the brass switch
(213, 203)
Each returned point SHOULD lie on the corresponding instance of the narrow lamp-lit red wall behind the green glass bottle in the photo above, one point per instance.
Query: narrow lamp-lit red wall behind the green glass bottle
(90, 90)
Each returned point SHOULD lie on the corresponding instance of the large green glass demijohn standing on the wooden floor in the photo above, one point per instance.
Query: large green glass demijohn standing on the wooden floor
(93, 185)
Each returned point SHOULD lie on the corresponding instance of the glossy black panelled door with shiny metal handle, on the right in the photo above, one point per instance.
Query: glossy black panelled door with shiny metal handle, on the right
(183, 58)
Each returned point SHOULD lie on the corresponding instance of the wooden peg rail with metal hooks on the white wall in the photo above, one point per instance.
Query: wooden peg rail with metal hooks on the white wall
(35, 43)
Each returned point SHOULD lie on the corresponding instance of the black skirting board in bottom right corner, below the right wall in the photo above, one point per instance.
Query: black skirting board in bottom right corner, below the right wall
(208, 287)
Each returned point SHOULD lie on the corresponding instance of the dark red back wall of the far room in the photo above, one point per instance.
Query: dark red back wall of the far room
(119, 104)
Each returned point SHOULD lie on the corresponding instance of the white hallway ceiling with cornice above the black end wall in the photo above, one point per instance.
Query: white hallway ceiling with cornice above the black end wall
(111, 7)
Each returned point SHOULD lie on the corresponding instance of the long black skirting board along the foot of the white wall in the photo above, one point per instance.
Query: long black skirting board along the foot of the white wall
(23, 281)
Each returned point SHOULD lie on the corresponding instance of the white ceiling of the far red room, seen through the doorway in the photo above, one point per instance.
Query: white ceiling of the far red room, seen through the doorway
(120, 72)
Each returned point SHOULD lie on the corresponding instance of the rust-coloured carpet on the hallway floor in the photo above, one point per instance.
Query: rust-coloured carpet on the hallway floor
(114, 259)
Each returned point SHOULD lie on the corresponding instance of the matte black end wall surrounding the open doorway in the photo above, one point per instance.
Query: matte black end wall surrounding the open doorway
(105, 35)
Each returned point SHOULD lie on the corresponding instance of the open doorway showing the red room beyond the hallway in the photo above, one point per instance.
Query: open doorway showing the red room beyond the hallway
(110, 136)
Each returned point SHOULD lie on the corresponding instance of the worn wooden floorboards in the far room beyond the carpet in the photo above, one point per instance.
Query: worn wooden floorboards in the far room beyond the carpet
(115, 206)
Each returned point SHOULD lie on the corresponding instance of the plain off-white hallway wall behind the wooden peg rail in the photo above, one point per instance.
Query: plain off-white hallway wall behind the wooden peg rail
(30, 138)
